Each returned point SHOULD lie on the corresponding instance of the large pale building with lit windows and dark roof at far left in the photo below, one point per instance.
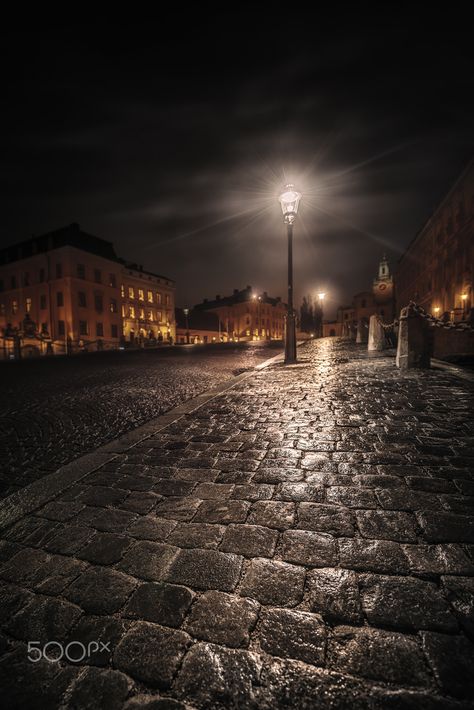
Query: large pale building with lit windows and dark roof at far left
(64, 290)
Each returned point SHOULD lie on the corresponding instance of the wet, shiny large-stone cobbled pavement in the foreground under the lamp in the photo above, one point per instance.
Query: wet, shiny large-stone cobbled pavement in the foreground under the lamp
(306, 542)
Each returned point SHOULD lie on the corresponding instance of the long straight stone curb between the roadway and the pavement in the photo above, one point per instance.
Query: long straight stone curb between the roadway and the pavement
(40, 492)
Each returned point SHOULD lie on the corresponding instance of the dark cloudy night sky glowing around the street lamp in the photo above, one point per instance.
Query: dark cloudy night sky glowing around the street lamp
(173, 140)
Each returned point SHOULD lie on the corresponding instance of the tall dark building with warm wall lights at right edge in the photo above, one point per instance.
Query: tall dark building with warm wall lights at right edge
(437, 269)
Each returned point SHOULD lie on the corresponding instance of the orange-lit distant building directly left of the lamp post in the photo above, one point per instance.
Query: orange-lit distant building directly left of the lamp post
(246, 315)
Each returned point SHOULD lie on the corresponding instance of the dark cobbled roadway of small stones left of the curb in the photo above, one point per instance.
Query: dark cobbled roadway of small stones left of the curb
(54, 410)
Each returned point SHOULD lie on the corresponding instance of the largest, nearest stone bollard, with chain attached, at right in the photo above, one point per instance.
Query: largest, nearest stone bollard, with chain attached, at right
(414, 341)
